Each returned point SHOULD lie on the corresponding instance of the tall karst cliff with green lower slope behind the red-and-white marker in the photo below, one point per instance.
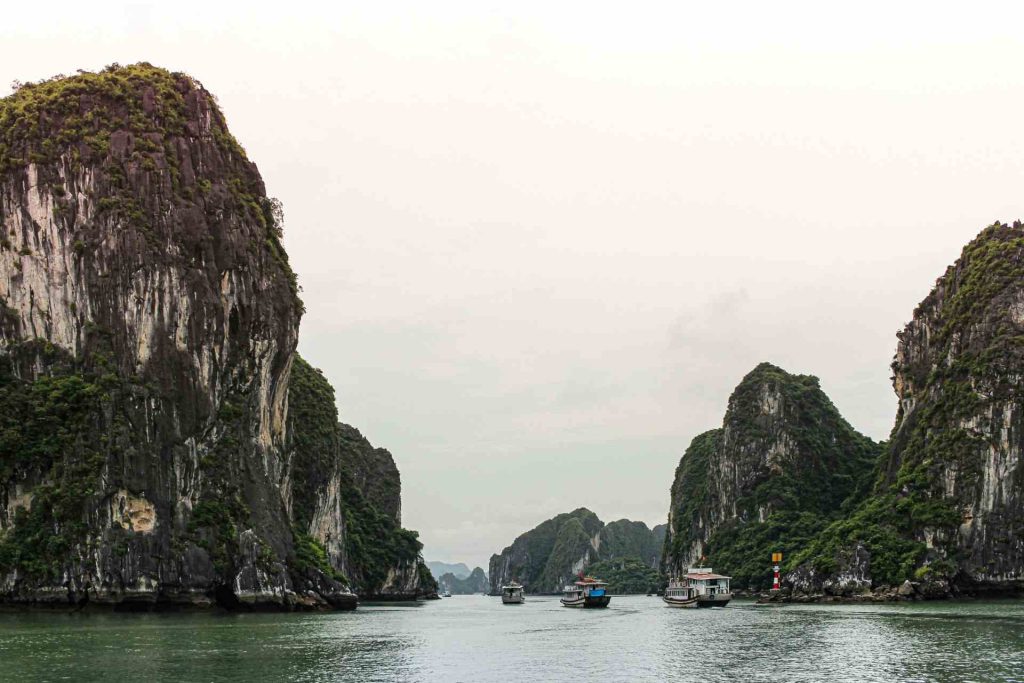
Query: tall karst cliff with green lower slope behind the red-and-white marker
(948, 509)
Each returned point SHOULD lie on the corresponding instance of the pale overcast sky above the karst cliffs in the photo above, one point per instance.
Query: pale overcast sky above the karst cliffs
(540, 243)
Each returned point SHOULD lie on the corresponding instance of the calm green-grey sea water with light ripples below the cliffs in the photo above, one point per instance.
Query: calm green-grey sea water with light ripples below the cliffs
(475, 638)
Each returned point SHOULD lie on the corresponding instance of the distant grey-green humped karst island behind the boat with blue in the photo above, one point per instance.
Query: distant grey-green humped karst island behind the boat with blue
(552, 554)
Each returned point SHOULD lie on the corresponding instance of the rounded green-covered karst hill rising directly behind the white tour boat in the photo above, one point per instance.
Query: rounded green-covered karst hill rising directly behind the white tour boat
(776, 474)
